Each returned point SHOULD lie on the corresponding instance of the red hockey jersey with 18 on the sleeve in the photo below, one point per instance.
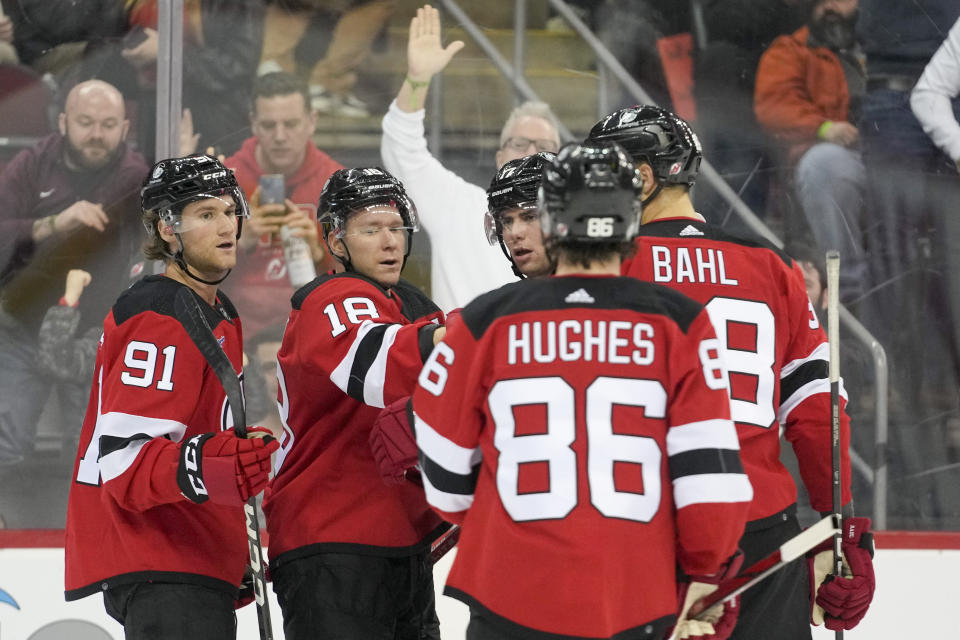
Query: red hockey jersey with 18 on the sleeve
(348, 349)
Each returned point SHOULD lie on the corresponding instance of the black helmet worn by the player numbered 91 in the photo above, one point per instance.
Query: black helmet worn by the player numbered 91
(176, 182)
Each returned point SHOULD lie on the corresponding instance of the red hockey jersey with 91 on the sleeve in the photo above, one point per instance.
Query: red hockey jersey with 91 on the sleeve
(126, 518)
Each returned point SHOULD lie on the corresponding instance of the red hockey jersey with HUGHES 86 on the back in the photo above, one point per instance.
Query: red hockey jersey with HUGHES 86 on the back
(579, 428)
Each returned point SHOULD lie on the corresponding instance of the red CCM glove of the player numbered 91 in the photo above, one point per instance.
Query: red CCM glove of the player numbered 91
(224, 468)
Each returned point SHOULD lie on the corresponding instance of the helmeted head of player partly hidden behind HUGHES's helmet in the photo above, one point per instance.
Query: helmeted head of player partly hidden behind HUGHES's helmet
(513, 219)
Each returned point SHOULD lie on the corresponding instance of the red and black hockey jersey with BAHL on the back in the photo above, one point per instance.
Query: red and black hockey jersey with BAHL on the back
(776, 352)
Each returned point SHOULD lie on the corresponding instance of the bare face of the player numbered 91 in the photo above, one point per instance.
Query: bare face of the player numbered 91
(210, 239)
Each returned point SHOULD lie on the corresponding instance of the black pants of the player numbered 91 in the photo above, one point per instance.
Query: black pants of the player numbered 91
(160, 611)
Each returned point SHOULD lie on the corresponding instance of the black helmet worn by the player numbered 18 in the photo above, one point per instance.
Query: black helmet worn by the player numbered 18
(350, 190)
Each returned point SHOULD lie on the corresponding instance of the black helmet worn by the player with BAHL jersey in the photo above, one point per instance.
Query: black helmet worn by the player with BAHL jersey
(656, 136)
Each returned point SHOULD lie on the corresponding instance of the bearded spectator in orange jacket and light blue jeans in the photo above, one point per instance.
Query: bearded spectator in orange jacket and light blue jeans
(809, 85)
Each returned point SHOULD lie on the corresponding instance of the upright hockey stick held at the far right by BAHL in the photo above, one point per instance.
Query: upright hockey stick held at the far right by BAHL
(833, 335)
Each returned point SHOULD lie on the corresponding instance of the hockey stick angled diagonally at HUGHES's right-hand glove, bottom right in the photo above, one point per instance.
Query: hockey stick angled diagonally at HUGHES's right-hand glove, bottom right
(795, 547)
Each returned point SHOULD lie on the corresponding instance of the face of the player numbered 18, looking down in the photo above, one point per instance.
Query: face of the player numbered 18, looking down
(377, 240)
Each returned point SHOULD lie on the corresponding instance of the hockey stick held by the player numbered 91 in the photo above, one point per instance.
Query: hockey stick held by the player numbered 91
(188, 311)
